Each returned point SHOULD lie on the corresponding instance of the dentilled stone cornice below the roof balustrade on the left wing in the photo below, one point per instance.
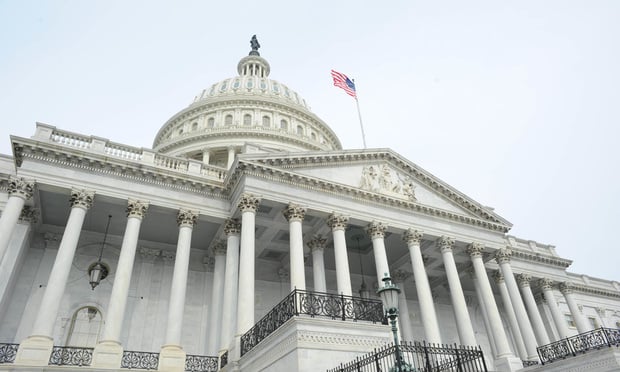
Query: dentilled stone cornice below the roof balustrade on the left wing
(68, 157)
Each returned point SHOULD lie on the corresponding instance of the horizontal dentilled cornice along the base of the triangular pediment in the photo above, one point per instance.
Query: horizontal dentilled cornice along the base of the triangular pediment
(312, 183)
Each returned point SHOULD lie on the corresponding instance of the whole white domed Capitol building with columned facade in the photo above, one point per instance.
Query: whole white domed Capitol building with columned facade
(214, 227)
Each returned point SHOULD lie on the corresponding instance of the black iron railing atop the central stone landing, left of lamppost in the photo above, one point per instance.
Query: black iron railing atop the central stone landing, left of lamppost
(314, 304)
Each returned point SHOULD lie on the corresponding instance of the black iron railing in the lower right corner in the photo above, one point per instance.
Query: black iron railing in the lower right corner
(581, 343)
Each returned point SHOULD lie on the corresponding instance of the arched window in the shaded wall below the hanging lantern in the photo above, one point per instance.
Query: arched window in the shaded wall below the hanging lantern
(85, 327)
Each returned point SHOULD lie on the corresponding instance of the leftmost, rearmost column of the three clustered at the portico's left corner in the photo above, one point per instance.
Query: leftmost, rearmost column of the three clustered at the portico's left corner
(217, 292)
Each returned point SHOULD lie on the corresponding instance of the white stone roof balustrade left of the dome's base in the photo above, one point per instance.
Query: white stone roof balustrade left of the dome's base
(141, 156)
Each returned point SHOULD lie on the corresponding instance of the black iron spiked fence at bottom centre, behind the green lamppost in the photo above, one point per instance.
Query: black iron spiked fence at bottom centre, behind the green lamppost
(419, 357)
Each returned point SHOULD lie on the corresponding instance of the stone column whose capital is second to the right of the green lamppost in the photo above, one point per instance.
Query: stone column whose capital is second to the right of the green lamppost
(463, 321)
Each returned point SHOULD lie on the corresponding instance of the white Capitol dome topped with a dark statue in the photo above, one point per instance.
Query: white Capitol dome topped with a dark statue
(246, 113)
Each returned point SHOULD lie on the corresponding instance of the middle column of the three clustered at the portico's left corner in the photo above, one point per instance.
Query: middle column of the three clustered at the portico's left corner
(232, 229)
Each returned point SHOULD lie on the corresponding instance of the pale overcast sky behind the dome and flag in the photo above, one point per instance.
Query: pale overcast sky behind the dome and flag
(516, 104)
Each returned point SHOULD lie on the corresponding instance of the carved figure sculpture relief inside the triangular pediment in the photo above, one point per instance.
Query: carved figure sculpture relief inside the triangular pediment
(384, 180)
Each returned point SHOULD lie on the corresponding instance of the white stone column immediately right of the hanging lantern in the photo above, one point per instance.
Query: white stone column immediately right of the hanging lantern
(109, 351)
